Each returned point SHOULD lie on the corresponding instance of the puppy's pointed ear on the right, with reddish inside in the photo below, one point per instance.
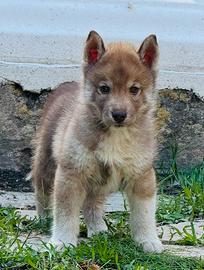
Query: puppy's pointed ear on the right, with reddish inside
(149, 52)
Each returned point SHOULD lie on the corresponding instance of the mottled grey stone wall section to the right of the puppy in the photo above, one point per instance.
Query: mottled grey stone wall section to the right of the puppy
(180, 116)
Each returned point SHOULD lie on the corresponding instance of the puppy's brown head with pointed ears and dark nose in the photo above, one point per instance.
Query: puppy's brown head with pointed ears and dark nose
(119, 79)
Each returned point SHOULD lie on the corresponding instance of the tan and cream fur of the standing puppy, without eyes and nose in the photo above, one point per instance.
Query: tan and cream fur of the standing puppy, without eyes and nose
(82, 154)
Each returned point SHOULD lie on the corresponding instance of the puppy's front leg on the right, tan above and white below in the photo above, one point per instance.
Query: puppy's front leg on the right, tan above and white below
(142, 201)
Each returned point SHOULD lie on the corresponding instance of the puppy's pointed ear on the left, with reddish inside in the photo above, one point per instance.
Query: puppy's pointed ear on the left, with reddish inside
(94, 48)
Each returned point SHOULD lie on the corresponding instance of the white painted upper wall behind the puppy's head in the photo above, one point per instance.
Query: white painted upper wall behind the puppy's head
(41, 41)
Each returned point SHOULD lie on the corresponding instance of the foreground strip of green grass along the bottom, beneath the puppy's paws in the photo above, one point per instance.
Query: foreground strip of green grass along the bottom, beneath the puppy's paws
(114, 250)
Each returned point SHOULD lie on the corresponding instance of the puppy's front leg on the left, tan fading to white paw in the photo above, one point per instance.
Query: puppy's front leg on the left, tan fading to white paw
(69, 195)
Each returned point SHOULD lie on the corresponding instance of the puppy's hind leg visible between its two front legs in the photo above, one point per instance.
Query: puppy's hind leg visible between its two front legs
(93, 213)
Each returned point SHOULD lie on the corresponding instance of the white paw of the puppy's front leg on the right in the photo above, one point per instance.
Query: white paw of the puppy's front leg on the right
(151, 245)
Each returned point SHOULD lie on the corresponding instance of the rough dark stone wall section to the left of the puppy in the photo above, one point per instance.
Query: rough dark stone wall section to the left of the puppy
(19, 113)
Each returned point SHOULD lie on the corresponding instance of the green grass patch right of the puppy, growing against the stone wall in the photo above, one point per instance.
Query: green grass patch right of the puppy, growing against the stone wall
(187, 201)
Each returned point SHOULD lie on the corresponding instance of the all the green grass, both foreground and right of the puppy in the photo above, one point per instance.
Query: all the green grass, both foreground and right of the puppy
(114, 250)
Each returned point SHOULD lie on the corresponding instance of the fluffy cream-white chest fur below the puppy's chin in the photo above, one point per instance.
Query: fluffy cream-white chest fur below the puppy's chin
(121, 151)
